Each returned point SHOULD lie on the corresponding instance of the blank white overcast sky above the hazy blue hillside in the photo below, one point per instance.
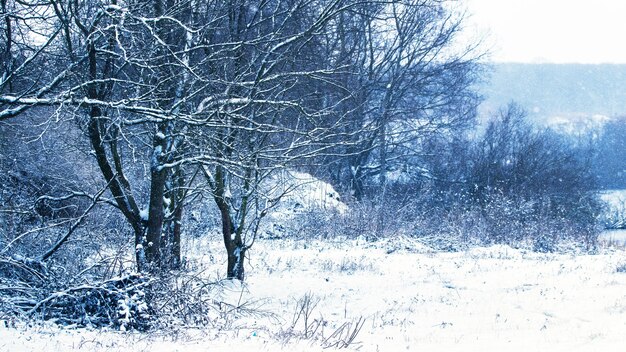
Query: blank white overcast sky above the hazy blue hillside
(554, 31)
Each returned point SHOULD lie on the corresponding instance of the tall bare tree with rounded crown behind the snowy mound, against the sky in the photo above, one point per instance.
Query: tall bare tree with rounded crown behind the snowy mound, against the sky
(410, 79)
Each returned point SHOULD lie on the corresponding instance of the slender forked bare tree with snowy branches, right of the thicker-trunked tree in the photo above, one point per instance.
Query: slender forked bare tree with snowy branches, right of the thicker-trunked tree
(269, 116)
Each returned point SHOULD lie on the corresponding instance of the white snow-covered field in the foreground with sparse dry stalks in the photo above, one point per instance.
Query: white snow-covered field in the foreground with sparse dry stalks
(409, 297)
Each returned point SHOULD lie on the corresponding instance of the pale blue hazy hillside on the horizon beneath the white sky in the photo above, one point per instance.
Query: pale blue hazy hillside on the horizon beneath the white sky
(552, 91)
